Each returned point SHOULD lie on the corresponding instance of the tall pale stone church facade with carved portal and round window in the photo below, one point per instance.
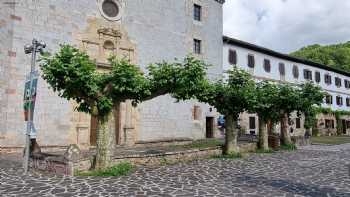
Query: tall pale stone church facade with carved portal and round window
(144, 31)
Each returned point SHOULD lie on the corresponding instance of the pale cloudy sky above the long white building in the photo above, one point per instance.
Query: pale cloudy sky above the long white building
(287, 25)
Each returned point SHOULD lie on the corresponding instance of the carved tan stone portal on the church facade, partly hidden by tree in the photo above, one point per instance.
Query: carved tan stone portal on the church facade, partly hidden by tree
(101, 40)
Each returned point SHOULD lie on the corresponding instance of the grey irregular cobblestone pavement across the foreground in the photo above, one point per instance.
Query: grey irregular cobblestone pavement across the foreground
(312, 171)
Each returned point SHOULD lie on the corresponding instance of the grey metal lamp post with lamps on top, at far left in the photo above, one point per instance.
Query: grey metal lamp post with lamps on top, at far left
(31, 49)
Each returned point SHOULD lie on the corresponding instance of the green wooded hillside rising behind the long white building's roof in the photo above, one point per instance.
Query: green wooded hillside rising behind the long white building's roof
(337, 55)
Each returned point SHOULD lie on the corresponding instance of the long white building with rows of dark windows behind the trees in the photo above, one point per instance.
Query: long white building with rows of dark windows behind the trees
(266, 64)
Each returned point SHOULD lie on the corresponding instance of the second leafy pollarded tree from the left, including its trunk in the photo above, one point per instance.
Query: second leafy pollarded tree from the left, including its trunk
(230, 98)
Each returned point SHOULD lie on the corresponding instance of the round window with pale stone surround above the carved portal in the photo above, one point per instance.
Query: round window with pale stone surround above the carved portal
(110, 9)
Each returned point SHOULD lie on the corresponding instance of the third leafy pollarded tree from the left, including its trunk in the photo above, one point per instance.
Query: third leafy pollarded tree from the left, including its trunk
(265, 105)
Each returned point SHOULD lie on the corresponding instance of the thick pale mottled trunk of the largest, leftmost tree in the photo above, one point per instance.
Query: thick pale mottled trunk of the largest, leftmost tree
(105, 141)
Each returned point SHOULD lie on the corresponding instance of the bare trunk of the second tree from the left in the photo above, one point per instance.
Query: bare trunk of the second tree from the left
(231, 146)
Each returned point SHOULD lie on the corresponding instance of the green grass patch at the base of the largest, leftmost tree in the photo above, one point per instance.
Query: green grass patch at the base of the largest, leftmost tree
(121, 169)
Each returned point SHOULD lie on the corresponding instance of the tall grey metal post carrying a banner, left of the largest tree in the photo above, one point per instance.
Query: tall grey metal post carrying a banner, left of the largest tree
(29, 96)
